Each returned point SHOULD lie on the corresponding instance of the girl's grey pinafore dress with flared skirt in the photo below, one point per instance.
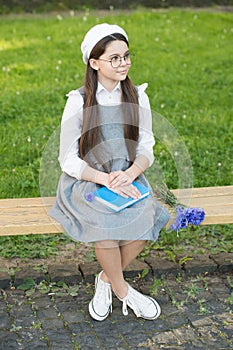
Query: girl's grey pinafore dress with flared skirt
(86, 221)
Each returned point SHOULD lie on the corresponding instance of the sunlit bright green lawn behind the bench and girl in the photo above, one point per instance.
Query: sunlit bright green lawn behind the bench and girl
(184, 55)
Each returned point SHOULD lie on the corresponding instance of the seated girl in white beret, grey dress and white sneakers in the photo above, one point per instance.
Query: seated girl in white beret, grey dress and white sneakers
(106, 140)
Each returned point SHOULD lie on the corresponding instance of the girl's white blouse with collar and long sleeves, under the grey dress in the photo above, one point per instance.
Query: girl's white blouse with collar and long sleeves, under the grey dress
(71, 127)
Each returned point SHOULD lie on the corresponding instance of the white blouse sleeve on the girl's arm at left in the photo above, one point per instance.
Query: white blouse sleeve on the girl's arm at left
(71, 127)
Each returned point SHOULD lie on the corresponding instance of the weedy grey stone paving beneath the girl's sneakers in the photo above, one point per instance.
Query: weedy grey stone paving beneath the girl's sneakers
(195, 296)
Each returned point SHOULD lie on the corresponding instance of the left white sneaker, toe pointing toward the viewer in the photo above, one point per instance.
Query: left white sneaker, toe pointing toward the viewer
(101, 305)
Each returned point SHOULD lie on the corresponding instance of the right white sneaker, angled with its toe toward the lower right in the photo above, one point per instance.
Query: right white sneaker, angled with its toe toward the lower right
(142, 305)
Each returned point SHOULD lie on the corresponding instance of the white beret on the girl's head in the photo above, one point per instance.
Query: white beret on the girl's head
(95, 34)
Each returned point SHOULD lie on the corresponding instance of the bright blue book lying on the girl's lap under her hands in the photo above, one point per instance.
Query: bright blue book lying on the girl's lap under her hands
(117, 202)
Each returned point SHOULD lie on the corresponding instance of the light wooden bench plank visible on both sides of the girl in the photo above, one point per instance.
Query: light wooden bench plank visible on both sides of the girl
(30, 215)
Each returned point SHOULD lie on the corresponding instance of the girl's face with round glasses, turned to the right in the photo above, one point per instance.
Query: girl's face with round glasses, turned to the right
(107, 75)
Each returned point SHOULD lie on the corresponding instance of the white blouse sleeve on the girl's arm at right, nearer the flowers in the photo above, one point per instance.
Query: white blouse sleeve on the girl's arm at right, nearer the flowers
(146, 137)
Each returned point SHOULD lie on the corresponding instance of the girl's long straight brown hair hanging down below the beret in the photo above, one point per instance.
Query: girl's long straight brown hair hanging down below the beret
(91, 129)
